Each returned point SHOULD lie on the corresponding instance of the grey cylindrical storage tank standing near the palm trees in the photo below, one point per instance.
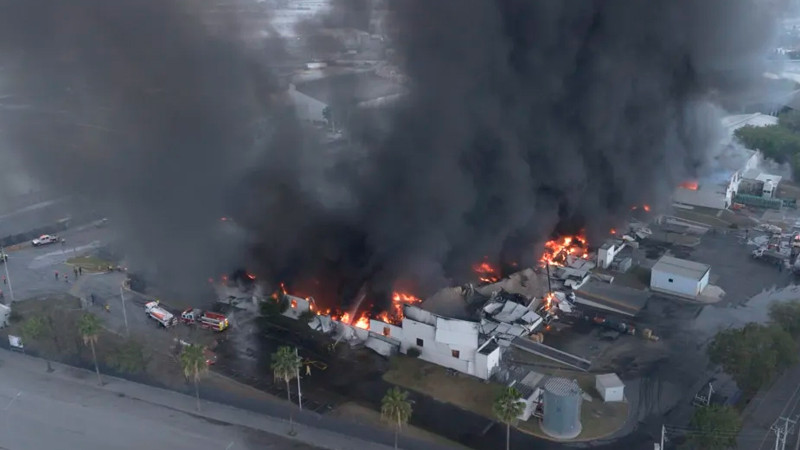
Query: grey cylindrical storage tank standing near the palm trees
(562, 408)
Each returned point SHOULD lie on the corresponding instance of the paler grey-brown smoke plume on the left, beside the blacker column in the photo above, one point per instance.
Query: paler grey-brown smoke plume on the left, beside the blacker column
(149, 109)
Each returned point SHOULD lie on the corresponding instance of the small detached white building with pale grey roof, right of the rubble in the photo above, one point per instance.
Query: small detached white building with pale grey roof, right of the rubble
(679, 277)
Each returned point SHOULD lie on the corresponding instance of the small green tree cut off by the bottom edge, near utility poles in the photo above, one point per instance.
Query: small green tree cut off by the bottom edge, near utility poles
(714, 427)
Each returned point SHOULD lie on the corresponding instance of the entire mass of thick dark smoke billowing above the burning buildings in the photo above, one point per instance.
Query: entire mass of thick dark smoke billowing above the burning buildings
(523, 117)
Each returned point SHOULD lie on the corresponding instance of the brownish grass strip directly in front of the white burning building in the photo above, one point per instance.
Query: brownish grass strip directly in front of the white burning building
(462, 390)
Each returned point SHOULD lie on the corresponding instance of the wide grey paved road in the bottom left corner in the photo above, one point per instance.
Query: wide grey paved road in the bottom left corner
(67, 409)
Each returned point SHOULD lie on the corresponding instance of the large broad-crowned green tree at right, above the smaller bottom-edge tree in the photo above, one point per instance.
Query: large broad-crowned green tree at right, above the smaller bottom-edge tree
(753, 355)
